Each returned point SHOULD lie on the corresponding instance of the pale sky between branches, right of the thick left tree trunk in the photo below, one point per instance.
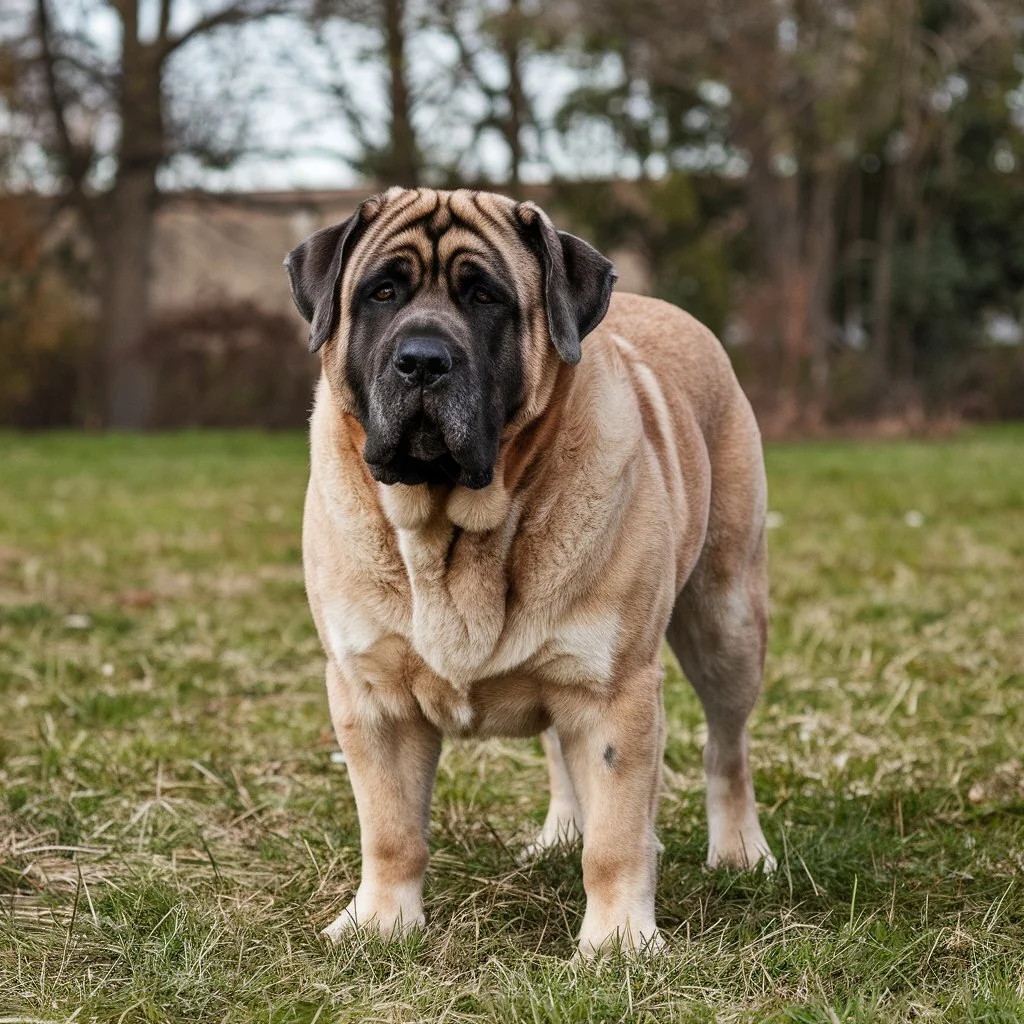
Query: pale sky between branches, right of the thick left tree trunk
(278, 74)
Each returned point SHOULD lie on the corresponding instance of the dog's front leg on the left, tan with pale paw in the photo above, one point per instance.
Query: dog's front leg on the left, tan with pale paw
(392, 764)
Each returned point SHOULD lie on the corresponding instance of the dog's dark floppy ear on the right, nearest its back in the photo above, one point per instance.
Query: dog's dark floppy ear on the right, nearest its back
(578, 282)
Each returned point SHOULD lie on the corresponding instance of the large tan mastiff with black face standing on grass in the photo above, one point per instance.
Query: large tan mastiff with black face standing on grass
(504, 520)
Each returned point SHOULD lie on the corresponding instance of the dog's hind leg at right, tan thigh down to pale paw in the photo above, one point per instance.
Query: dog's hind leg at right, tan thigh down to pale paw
(718, 631)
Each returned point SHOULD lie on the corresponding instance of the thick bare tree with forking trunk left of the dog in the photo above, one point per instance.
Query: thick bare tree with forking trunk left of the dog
(83, 95)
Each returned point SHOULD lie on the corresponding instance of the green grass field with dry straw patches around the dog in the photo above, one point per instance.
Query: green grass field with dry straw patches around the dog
(174, 831)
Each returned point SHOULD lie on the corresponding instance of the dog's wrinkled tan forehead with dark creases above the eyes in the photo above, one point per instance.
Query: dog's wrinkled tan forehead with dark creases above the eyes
(439, 234)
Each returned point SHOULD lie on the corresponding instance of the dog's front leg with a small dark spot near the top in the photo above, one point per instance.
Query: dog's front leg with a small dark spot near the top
(614, 754)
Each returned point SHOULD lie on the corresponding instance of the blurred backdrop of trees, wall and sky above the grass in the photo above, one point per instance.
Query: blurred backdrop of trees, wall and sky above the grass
(836, 188)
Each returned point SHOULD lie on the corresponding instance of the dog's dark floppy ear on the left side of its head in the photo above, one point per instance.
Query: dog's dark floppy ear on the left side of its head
(315, 273)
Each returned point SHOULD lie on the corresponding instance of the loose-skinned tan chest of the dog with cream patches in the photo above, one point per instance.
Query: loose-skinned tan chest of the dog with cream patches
(474, 628)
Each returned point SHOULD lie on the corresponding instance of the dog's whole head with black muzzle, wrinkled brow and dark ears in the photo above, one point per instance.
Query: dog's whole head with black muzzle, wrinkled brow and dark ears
(437, 313)
